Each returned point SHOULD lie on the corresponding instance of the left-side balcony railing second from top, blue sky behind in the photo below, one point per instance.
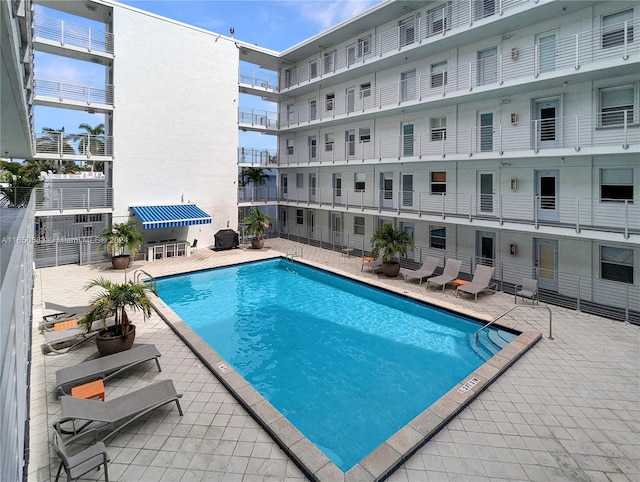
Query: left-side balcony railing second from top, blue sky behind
(55, 91)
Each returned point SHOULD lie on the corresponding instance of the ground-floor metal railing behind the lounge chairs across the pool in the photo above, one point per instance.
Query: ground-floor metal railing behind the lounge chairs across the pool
(610, 299)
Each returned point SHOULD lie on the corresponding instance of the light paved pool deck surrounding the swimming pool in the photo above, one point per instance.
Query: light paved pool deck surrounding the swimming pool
(569, 409)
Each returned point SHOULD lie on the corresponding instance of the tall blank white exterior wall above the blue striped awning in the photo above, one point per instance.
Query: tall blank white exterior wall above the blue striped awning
(175, 126)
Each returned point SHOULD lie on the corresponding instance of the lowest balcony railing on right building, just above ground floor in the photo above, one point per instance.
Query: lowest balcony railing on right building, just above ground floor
(575, 213)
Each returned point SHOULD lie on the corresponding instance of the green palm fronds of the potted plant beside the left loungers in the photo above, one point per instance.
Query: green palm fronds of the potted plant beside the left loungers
(113, 301)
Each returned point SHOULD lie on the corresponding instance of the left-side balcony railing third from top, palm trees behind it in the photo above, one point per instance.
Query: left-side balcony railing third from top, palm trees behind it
(64, 145)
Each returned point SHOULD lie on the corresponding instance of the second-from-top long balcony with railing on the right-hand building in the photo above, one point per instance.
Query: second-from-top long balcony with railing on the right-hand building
(581, 53)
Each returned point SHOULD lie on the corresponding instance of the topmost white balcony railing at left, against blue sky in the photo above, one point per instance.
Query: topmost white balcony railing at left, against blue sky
(67, 33)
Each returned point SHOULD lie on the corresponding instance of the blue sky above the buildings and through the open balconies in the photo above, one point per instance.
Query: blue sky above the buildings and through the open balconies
(273, 24)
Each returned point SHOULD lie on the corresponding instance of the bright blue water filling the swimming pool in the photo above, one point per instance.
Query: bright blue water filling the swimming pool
(347, 364)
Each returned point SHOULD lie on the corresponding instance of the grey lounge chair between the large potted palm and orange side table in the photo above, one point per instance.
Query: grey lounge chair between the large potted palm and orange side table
(105, 367)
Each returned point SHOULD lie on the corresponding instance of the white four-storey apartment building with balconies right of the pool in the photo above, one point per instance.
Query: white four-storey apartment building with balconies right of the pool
(496, 132)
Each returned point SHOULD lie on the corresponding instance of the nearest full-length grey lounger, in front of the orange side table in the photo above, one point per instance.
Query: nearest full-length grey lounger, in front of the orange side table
(111, 416)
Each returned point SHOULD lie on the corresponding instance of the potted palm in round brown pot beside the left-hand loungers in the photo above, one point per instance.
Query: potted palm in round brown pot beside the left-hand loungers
(114, 301)
